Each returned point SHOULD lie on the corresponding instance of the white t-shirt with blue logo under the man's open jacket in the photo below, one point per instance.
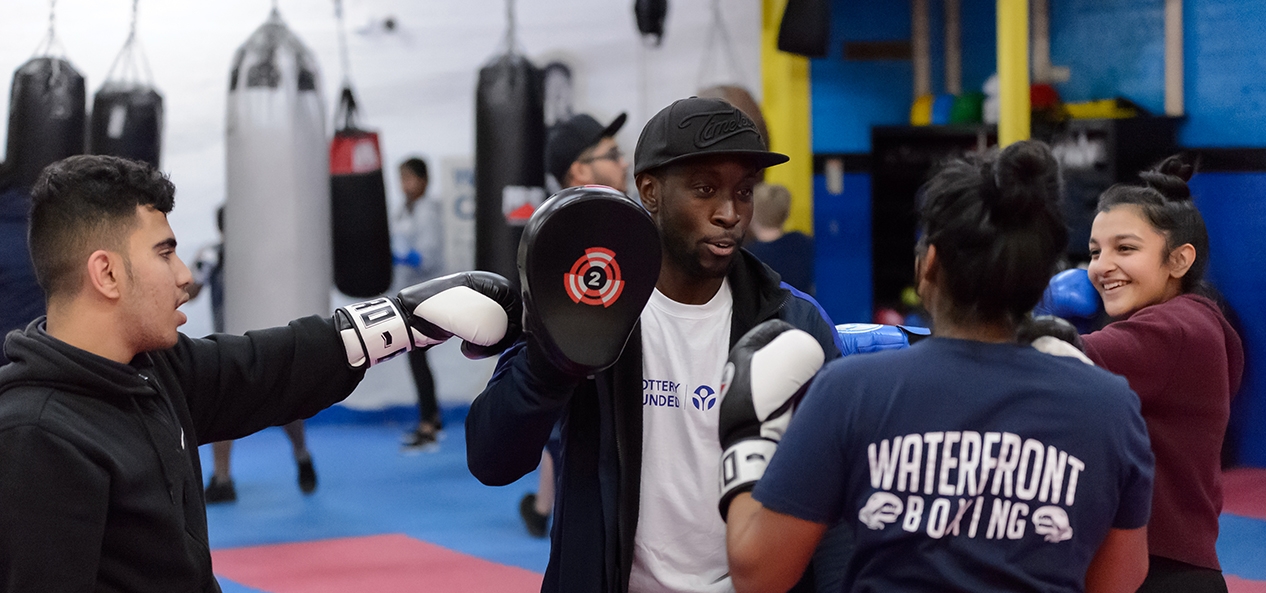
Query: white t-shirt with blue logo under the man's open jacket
(680, 542)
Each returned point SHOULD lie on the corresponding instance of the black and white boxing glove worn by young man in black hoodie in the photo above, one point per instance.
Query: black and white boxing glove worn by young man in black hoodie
(479, 307)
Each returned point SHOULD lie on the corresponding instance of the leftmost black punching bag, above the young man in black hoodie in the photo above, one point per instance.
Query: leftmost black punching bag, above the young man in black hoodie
(46, 117)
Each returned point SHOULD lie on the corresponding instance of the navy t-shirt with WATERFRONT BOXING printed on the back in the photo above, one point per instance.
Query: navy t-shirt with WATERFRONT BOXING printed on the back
(965, 466)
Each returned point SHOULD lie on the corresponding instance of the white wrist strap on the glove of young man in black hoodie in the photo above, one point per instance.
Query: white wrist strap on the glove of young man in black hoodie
(373, 331)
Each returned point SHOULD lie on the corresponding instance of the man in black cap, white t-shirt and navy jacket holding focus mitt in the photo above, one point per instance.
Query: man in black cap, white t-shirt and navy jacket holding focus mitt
(637, 490)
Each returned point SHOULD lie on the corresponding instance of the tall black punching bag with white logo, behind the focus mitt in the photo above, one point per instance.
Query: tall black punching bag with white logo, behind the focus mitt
(510, 162)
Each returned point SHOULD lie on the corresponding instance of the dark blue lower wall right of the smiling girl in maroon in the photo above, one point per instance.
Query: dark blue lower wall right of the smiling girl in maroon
(1235, 212)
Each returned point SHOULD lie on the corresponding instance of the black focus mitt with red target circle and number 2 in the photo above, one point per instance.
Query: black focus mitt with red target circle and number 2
(588, 263)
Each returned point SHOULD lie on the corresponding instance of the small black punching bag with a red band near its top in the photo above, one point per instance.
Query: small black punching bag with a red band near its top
(359, 202)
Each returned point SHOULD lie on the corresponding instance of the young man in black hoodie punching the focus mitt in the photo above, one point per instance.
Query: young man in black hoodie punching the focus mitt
(104, 405)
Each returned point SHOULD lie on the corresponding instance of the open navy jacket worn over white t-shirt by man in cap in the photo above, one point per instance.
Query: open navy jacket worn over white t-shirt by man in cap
(599, 481)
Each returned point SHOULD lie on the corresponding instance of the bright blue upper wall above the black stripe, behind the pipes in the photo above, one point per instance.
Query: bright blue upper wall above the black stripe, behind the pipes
(1113, 49)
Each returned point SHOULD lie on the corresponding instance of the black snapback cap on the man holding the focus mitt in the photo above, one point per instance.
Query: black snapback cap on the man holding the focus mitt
(701, 127)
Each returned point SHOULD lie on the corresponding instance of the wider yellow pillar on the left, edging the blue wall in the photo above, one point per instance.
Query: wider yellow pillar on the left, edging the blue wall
(786, 106)
